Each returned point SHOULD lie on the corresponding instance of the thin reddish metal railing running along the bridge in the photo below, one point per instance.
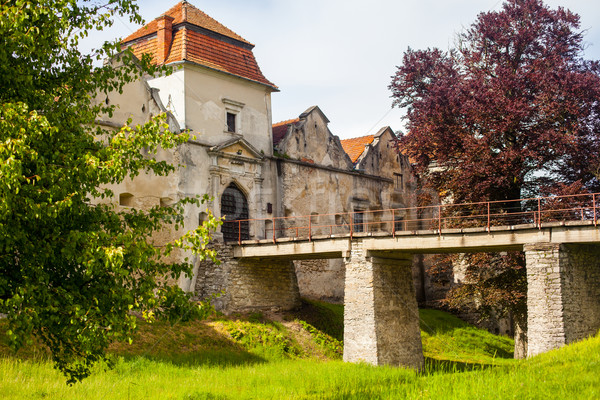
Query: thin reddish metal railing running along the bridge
(533, 211)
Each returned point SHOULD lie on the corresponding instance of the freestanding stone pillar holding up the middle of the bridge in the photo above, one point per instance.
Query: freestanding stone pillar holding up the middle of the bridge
(381, 318)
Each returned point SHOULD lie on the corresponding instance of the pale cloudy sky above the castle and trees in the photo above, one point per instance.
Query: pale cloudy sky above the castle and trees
(340, 54)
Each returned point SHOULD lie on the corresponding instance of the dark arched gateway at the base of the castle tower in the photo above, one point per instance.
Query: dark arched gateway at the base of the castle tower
(234, 207)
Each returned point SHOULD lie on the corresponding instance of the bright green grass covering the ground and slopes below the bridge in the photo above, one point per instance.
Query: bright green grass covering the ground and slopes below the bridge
(254, 358)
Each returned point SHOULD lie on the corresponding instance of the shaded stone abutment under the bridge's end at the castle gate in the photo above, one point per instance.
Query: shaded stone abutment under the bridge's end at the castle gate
(263, 285)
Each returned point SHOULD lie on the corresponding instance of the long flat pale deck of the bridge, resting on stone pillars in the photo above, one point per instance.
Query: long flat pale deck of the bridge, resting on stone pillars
(460, 240)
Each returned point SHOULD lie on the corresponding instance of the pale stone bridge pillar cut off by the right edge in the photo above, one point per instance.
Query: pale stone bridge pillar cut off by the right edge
(563, 294)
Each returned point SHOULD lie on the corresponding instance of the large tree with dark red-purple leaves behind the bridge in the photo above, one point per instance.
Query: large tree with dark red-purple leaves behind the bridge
(511, 112)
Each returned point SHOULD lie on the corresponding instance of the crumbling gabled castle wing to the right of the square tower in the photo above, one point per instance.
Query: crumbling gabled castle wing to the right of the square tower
(319, 174)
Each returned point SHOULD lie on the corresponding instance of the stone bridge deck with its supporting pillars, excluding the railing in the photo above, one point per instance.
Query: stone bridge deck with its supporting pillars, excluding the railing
(381, 323)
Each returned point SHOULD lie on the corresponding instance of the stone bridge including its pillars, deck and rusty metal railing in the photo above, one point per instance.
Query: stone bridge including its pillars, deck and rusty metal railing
(559, 236)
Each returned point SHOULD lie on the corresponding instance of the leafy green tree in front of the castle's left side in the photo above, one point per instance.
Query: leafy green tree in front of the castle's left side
(73, 273)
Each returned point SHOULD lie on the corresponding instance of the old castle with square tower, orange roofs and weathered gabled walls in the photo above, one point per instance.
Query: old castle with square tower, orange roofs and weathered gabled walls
(255, 171)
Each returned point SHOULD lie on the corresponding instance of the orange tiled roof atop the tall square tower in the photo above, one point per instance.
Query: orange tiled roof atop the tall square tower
(204, 49)
